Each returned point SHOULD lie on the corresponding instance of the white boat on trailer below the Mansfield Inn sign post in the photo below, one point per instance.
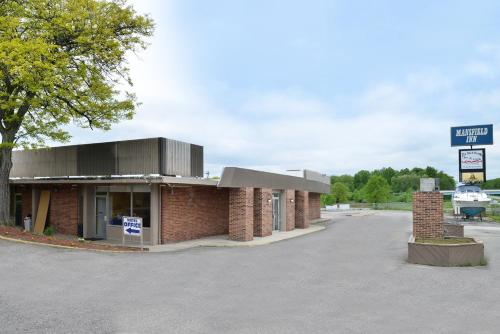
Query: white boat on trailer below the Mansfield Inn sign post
(469, 201)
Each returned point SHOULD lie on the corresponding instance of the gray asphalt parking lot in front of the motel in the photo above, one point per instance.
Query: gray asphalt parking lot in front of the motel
(350, 278)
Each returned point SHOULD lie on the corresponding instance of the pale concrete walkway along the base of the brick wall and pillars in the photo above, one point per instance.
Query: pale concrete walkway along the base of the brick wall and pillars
(223, 241)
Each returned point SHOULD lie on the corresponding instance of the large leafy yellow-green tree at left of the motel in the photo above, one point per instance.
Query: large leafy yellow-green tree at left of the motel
(62, 62)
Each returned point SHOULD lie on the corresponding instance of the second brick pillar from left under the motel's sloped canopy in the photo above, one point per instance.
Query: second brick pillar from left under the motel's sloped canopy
(262, 212)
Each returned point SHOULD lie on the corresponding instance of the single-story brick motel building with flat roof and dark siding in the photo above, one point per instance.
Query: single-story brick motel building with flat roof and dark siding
(85, 190)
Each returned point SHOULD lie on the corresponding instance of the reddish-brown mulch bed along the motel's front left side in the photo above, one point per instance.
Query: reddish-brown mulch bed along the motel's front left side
(18, 233)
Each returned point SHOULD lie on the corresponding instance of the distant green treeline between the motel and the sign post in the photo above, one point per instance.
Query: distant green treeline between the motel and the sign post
(382, 185)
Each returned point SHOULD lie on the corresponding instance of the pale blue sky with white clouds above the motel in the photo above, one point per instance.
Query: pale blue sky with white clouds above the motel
(334, 86)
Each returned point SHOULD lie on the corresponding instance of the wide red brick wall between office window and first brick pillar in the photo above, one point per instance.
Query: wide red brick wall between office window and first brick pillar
(193, 212)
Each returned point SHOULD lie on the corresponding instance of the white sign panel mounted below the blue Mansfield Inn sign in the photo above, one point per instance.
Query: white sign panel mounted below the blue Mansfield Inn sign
(472, 164)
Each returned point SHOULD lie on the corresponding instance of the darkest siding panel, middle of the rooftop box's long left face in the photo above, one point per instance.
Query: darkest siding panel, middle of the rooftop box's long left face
(97, 159)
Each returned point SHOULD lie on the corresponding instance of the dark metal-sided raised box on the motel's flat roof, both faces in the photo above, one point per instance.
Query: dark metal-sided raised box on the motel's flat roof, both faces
(132, 157)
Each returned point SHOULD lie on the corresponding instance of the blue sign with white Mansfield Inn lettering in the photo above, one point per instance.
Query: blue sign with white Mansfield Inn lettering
(472, 135)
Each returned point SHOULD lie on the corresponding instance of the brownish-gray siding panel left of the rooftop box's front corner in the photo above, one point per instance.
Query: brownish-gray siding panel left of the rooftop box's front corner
(138, 157)
